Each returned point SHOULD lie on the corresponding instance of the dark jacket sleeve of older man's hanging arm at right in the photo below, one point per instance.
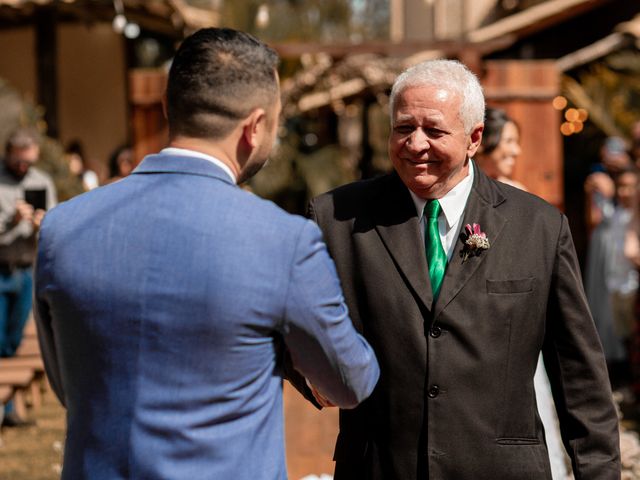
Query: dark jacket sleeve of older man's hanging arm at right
(578, 373)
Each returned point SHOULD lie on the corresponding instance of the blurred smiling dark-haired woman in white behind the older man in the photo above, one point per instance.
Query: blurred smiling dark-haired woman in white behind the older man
(496, 156)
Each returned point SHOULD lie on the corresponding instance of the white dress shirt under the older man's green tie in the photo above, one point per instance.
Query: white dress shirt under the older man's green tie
(452, 209)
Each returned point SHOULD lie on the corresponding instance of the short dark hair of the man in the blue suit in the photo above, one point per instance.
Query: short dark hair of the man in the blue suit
(217, 77)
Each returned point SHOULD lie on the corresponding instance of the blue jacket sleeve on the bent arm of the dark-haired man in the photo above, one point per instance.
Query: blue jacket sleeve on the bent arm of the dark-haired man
(323, 344)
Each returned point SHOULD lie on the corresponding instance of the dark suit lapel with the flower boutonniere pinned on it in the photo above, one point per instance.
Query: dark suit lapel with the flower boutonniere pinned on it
(480, 209)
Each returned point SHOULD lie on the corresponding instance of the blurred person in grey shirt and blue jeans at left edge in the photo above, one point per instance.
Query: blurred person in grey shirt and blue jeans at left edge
(25, 194)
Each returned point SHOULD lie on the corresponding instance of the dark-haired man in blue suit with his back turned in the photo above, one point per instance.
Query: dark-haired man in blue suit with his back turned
(166, 301)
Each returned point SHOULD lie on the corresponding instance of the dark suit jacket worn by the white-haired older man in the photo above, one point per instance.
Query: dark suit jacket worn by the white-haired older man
(455, 398)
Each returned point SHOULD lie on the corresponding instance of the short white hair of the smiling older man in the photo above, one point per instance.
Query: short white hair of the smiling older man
(450, 75)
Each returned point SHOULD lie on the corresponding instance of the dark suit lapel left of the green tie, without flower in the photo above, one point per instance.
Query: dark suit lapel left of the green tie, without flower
(397, 224)
